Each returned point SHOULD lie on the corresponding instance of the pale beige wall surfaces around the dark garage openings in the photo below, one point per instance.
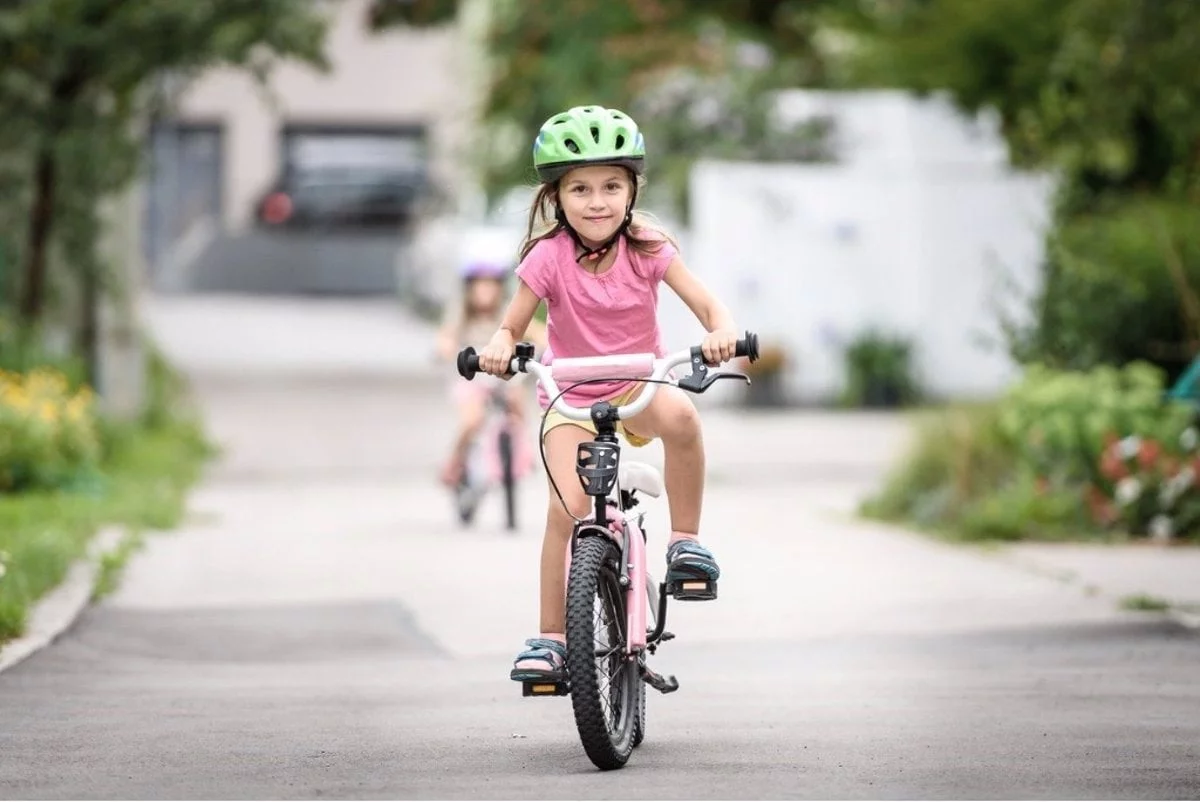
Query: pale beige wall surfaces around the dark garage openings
(404, 76)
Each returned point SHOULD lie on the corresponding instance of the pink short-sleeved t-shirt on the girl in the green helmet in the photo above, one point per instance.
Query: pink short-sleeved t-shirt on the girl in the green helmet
(614, 313)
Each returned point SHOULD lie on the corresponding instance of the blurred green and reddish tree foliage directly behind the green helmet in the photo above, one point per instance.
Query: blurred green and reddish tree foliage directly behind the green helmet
(682, 68)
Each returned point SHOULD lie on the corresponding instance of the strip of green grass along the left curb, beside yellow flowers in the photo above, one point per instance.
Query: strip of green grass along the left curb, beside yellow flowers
(148, 469)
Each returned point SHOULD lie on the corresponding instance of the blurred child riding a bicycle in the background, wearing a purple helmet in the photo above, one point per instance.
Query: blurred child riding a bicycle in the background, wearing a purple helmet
(472, 321)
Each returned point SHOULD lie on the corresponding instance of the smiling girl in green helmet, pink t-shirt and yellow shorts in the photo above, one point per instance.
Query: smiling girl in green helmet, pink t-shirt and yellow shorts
(598, 266)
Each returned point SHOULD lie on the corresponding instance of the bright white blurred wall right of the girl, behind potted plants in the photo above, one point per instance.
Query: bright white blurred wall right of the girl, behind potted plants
(904, 234)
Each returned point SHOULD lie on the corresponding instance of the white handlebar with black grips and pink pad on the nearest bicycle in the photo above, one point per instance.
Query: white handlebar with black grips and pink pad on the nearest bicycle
(645, 367)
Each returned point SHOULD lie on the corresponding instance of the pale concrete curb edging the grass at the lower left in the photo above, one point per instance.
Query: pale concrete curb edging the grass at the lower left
(59, 609)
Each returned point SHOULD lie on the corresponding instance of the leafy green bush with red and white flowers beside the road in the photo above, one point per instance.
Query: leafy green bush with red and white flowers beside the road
(1063, 454)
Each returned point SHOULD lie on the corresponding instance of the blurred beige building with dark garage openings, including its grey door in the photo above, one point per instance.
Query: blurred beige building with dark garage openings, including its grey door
(405, 94)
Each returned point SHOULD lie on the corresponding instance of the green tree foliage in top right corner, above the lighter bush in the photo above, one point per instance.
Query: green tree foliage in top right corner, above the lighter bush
(1105, 92)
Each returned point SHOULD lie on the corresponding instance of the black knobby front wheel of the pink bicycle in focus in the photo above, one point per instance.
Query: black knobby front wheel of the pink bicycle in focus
(604, 697)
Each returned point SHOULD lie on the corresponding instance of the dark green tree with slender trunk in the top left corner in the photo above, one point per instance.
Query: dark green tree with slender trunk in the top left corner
(79, 77)
